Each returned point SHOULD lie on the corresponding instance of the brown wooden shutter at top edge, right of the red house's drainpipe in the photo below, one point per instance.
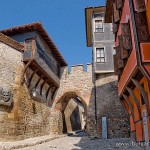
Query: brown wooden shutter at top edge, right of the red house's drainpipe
(139, 5)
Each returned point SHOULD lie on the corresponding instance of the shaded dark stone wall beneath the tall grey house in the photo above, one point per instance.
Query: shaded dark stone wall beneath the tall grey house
(109, 106)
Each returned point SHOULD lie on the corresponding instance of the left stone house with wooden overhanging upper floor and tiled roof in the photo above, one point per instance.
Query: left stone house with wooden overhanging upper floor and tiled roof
(29, 77)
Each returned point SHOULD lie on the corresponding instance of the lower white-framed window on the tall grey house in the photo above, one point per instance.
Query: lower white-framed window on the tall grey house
(100, 55)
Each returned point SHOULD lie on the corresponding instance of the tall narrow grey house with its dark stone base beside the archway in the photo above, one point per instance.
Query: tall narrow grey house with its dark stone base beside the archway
(110, 117)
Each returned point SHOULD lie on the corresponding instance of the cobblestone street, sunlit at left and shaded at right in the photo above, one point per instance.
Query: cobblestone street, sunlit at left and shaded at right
(80, 141)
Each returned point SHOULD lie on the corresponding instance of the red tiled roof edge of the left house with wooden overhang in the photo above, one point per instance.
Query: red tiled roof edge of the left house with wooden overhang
(37, 26)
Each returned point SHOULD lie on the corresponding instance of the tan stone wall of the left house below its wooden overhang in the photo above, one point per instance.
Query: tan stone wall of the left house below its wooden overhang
(26, 116)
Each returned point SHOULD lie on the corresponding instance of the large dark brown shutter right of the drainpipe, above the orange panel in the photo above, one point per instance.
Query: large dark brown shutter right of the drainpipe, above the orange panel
(142, 27)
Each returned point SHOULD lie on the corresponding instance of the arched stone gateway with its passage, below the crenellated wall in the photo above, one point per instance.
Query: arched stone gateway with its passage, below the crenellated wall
(66, 106)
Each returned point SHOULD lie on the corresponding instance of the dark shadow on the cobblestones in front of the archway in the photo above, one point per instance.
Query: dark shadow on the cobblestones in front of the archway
(87, 143)
